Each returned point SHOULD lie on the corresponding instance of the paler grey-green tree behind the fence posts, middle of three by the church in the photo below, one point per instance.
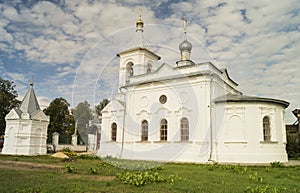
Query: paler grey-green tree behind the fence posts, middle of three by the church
(82, 114)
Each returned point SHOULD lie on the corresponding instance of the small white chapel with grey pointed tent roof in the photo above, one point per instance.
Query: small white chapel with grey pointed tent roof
(26, 128)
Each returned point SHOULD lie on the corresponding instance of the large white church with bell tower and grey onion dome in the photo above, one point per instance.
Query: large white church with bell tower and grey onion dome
(188, 112)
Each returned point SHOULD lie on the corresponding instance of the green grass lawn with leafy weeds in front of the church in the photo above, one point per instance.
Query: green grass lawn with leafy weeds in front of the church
(87, 174)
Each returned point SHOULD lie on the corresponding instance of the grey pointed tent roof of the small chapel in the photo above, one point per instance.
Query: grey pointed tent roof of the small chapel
(30, 103)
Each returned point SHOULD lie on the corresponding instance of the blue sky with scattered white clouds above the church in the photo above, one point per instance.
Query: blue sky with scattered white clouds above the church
(68, 47)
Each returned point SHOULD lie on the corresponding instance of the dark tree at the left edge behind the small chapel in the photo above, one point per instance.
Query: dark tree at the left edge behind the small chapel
(8, 100)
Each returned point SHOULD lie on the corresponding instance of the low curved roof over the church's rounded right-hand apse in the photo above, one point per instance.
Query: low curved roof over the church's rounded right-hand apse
(245, 98)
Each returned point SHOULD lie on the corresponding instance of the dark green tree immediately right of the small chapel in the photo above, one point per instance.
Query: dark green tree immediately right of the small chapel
(61, 120)
